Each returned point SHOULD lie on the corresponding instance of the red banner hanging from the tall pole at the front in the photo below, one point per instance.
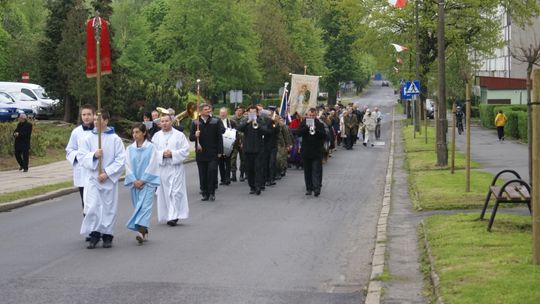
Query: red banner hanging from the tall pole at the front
(105, 49)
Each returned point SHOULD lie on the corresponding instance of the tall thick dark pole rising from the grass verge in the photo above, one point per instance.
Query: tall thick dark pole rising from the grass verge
(442, 148)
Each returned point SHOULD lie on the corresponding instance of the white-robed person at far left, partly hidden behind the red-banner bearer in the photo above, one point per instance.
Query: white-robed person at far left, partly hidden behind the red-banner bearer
(72, 148)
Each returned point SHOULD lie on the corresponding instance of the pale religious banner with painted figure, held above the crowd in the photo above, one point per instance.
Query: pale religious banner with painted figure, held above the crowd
(303, 93)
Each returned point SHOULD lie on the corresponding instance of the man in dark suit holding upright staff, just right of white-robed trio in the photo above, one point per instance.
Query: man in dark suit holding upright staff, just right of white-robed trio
(208, 138)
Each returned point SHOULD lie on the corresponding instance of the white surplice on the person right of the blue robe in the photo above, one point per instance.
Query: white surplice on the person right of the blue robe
(172, 201)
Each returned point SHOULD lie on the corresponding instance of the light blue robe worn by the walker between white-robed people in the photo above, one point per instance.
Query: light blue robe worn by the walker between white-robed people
(142, 164)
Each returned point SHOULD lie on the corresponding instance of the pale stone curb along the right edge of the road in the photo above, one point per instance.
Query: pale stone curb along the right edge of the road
(378, 261)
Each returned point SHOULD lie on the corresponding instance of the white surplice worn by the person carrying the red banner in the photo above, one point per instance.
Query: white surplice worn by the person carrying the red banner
(101, 199)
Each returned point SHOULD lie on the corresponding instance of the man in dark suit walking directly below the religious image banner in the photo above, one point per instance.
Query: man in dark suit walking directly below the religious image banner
(313, 136)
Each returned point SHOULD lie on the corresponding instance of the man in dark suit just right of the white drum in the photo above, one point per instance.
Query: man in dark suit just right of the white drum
(254, 128)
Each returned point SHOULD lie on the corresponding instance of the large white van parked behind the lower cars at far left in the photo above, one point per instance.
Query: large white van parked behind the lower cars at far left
(44, 105)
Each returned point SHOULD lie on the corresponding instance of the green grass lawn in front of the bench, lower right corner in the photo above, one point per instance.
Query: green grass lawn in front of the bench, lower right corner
(476, 266)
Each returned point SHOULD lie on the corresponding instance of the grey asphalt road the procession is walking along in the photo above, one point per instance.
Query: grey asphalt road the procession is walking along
(281, 247)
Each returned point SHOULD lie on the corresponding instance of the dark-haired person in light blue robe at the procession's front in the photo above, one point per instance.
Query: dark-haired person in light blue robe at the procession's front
(142, 177)
